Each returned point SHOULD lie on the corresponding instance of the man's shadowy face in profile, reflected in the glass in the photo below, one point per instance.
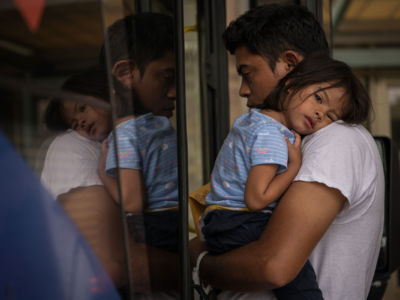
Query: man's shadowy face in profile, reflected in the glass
(156, 87)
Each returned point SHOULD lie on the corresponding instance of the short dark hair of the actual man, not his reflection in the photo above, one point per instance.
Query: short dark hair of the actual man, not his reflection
(271, 29)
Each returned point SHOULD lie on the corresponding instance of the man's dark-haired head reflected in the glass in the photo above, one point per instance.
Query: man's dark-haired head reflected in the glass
(142, 59)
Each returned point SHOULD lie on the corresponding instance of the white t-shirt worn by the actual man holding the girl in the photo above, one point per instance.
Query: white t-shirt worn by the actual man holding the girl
(344, 157)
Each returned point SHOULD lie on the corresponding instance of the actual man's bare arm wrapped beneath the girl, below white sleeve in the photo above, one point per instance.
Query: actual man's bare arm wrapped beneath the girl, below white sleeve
(297, 224)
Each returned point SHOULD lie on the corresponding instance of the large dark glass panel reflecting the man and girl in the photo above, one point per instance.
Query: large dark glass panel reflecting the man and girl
(54, 67)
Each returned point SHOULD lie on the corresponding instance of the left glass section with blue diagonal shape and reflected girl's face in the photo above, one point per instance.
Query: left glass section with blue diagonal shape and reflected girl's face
(47, 88)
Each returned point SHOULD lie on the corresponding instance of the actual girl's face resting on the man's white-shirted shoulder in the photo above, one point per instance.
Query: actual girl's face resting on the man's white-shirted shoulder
(311, 108)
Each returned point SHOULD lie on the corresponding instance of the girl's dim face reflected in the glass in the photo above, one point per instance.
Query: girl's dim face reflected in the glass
(93, 123)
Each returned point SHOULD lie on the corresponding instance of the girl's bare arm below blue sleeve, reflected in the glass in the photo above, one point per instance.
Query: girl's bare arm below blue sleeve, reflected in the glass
(132, 184)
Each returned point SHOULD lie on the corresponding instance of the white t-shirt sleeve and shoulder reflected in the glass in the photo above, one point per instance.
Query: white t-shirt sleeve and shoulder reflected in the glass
(71, 161)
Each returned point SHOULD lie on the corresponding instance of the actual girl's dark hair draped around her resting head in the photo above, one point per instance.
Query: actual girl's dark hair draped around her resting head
(318, 67)
